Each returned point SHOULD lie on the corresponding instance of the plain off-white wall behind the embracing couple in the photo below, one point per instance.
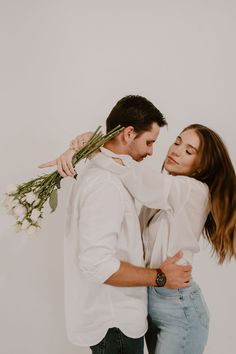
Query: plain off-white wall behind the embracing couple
(64, 64)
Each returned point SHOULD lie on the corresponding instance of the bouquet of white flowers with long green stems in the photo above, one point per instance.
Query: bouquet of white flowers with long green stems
(27, 200)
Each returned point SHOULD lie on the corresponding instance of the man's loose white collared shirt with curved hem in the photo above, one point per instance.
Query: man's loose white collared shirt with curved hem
(102, 229)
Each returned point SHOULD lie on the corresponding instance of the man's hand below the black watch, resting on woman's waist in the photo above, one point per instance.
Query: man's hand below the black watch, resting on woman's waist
(178, 276)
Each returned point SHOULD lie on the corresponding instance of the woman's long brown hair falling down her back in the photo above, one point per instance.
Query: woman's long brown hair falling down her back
(217, 171)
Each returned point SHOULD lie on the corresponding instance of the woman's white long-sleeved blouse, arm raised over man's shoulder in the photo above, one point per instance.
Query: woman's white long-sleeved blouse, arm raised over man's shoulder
(174, 213)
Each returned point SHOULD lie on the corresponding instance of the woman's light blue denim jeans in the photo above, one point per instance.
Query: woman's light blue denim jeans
(181, 319)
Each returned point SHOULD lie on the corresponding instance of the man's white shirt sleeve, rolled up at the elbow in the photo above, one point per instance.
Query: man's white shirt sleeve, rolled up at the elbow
(99, 224)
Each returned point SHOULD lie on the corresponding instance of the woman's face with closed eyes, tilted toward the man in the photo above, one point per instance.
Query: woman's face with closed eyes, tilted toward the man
(183, 157)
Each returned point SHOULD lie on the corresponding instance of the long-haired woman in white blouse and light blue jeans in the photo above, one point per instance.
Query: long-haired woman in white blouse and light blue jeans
(197, 195)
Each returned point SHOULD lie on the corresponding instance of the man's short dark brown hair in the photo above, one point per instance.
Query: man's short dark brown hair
(135, 111)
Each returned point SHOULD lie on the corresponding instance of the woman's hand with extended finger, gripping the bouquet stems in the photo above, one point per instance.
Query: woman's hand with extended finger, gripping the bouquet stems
(63, 163)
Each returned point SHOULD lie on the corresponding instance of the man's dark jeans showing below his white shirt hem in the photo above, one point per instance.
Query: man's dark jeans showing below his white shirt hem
(115, 342)
